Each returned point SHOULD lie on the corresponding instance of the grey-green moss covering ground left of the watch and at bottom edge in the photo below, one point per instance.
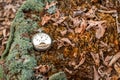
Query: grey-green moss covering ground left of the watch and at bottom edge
(18, 53)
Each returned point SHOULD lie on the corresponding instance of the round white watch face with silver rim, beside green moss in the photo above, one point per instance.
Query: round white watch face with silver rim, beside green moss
(41, 41)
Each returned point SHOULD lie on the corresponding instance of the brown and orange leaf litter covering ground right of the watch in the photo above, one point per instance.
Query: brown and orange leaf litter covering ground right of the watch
(85, 39)
